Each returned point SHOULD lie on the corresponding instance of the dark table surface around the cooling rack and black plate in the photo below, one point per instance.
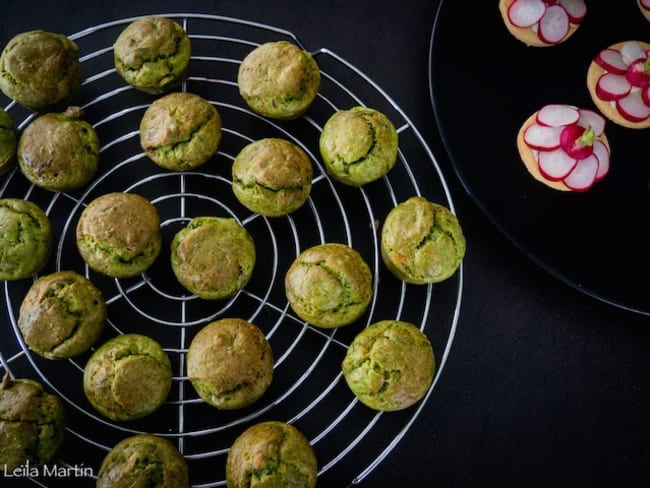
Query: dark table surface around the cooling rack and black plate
(544, 384)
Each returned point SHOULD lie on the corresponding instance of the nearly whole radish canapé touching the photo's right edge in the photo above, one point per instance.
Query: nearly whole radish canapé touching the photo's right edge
(618, 79)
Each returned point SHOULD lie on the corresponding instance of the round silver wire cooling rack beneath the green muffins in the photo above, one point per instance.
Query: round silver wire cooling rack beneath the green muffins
(349, 439)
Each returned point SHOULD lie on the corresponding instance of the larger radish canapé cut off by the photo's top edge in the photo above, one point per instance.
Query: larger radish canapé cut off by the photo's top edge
(542, 23)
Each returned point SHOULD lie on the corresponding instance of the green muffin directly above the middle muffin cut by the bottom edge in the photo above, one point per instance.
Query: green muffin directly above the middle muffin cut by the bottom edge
(127, 377)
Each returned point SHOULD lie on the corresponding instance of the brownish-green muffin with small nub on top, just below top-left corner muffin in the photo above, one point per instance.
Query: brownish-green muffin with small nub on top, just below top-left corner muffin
(59, 151)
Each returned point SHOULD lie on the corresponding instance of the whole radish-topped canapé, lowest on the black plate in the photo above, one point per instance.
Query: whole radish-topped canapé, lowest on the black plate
(565, 147)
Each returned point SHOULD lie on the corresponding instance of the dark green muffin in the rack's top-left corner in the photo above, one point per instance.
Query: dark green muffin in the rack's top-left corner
(40, 70)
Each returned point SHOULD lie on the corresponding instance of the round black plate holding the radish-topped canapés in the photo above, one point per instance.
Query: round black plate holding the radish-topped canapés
(484, 83)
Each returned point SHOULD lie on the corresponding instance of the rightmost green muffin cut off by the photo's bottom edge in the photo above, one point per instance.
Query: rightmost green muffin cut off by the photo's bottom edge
(271, 454)
